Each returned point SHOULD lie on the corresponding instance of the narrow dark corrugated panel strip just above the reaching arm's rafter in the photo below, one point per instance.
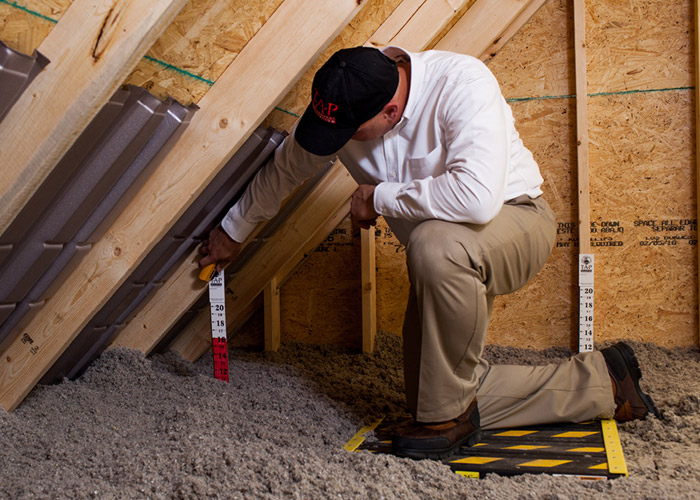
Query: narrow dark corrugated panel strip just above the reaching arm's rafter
(204, 213)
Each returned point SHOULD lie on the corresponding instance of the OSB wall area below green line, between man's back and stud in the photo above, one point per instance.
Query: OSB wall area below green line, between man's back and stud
(544, 313)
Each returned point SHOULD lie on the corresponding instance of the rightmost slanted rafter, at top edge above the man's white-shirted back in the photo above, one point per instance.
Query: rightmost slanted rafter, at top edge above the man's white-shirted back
(482, 25)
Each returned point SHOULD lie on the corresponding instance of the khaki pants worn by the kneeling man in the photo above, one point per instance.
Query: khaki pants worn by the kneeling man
(456, 270)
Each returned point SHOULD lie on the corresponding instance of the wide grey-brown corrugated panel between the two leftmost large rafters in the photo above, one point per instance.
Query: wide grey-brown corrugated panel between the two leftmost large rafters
(82, 196)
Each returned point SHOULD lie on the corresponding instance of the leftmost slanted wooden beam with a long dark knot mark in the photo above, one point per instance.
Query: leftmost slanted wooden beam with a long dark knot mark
(92, 50)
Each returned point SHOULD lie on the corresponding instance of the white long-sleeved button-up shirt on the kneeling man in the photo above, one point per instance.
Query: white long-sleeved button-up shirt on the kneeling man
(454, 155)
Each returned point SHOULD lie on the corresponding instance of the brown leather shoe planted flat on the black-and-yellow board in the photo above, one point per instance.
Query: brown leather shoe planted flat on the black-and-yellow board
(438, 440)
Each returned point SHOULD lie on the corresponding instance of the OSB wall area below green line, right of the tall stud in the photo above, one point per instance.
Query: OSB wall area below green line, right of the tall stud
(644, 216)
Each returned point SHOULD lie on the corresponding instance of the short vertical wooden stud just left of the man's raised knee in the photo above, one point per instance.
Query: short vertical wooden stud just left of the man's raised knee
(369, 290)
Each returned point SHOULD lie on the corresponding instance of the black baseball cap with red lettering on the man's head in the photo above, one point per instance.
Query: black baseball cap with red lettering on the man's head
(353, 86)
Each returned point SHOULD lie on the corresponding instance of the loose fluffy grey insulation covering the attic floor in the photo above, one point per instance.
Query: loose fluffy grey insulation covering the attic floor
(134, 427)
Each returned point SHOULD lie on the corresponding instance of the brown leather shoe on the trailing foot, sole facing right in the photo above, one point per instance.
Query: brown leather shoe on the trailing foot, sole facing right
(624, 371)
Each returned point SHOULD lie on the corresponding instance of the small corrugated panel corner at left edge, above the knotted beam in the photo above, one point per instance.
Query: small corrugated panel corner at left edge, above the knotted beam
(17, 71)
